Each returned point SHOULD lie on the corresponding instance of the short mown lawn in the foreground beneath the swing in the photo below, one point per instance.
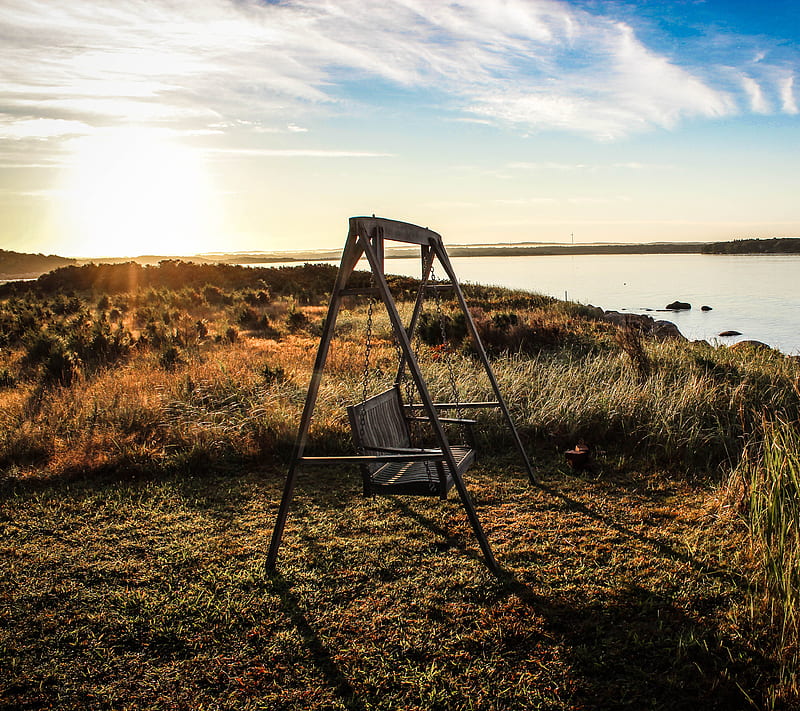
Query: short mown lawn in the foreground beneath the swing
(621, 591)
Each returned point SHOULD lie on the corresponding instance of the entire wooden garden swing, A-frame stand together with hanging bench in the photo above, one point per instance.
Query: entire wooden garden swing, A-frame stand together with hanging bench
(389, 462)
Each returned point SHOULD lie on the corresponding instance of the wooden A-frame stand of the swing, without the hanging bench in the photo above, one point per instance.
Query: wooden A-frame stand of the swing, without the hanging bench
(367, 237)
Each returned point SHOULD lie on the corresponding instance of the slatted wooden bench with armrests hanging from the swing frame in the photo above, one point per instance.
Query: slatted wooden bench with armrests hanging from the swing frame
(381, 430)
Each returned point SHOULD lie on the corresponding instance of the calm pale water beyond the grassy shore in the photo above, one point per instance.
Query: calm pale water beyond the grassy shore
(757, 295)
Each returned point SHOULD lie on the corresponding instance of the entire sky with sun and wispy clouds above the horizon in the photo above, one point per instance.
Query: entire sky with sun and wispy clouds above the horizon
(180, 127)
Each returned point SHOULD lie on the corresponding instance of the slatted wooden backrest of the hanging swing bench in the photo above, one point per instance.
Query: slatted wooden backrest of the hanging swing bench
(380, 422)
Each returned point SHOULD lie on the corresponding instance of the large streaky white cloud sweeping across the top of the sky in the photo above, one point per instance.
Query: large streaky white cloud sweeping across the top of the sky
(246, 65)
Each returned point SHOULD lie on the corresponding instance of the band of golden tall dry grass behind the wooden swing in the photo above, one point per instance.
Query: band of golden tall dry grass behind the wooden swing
(694, 410)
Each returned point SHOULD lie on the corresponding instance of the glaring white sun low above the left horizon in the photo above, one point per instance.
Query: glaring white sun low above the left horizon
(135, 192)
